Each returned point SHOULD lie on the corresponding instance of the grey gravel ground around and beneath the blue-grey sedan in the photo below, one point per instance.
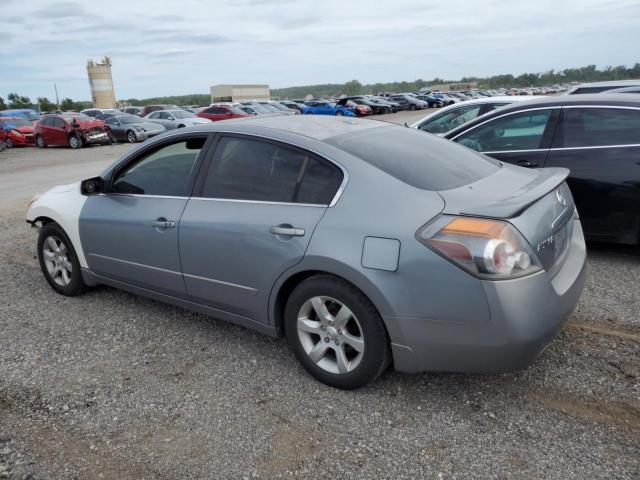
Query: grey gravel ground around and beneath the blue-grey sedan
(109, 385)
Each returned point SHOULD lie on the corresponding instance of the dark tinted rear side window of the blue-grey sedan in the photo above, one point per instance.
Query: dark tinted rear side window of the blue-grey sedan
(245, 169)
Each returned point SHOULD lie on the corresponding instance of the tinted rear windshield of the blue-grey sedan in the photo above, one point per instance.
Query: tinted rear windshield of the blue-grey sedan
(419, 159)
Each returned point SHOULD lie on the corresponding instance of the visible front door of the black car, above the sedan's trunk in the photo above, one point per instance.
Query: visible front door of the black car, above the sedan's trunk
(520, 137)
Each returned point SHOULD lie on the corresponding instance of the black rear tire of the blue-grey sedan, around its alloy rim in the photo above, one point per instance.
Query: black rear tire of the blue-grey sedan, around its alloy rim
(377, 354)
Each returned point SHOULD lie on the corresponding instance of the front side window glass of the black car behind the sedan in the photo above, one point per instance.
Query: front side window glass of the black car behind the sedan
(520, 131)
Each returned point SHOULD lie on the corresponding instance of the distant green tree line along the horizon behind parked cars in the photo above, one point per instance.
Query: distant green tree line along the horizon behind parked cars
(588, 73)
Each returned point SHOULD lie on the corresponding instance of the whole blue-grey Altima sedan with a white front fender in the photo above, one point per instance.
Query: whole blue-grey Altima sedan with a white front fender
(366, 244)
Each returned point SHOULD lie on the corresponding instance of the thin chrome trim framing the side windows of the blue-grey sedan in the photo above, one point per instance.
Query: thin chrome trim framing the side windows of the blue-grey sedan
(336, 197)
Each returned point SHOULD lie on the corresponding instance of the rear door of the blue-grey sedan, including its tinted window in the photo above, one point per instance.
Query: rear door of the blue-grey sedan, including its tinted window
(253, 213)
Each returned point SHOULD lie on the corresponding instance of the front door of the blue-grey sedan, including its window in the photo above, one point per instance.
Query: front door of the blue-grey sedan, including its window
(130, 232)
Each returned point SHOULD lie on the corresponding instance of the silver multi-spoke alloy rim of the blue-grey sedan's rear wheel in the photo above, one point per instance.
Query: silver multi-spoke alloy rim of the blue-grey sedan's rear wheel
(330, 334)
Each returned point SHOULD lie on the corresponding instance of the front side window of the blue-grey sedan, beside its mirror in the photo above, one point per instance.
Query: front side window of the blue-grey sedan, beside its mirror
(164, 171)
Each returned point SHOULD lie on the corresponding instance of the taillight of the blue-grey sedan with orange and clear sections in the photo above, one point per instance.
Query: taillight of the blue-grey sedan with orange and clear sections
(487, 248)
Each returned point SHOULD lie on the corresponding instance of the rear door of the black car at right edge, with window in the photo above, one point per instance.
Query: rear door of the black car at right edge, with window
(601, 147)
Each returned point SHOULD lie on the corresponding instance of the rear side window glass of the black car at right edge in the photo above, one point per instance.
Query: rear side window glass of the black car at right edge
(588, 127)
